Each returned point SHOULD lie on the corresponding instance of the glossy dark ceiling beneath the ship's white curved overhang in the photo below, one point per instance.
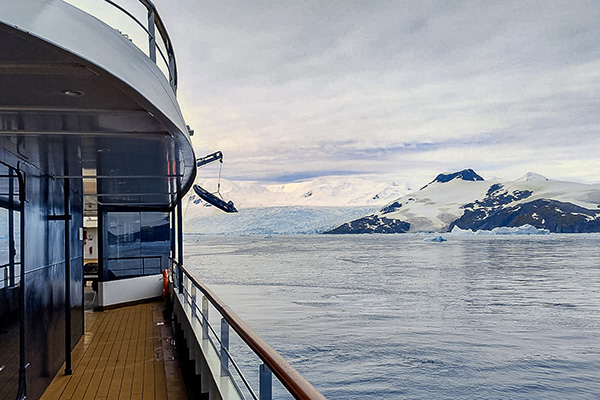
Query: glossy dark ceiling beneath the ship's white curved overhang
(53, 100)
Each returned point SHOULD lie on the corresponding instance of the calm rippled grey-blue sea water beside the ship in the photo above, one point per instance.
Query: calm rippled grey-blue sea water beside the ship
(396, 317)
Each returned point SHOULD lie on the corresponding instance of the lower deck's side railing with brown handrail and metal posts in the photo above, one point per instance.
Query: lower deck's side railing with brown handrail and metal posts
(188, 288)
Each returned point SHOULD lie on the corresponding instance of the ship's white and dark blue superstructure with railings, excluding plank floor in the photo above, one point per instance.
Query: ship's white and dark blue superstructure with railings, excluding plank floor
(90, 129)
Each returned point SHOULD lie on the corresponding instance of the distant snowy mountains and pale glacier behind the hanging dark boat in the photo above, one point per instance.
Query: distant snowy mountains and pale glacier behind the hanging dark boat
(310, 206)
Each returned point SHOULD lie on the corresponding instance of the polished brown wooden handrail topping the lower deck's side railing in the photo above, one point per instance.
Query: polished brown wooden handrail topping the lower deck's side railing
(295, 383)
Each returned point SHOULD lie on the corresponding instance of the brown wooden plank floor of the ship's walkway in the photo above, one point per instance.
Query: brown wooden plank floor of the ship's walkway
(122, 356)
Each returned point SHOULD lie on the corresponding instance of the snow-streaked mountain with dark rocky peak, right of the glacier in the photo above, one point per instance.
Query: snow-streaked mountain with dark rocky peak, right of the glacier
(464, 200)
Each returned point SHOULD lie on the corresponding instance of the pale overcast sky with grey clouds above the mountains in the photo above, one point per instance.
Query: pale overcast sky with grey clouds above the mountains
(406, 89)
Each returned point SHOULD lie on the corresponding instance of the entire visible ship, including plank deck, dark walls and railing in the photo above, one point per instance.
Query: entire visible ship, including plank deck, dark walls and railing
(96, 160)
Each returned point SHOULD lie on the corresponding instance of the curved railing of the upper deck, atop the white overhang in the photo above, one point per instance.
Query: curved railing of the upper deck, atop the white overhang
(153, 28)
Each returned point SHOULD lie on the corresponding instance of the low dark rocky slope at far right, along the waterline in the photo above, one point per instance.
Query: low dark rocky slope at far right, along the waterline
(556, 216)
